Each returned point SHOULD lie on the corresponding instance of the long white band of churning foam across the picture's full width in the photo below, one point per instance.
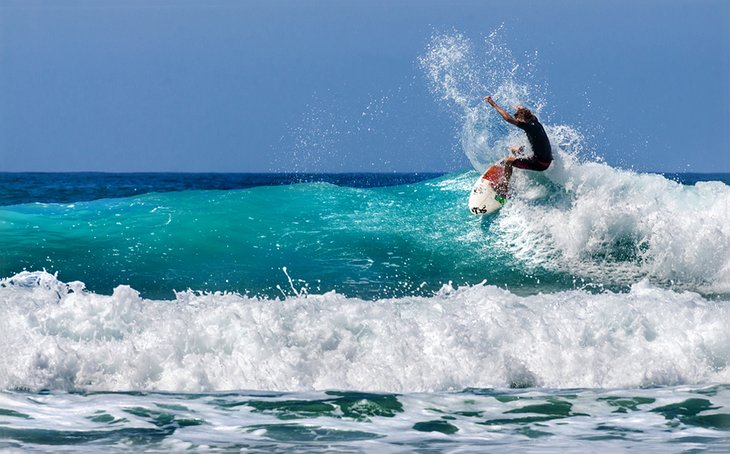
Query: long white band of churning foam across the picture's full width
(58, 336)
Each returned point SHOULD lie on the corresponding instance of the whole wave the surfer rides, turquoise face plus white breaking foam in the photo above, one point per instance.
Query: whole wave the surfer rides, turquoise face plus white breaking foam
(577, 224)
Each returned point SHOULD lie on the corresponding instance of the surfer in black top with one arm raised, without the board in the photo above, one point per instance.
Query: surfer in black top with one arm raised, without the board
(542, 155)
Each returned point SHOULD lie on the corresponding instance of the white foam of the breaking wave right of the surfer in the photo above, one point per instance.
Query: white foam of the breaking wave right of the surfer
(617, 226)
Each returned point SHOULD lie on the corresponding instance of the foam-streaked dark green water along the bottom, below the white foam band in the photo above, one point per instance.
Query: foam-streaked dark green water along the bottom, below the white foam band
(472, 421)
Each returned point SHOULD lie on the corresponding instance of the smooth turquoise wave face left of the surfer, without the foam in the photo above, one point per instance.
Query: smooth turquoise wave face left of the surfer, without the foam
(374, 242)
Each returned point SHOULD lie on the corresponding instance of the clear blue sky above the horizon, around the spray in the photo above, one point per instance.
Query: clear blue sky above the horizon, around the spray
(332, 85)
